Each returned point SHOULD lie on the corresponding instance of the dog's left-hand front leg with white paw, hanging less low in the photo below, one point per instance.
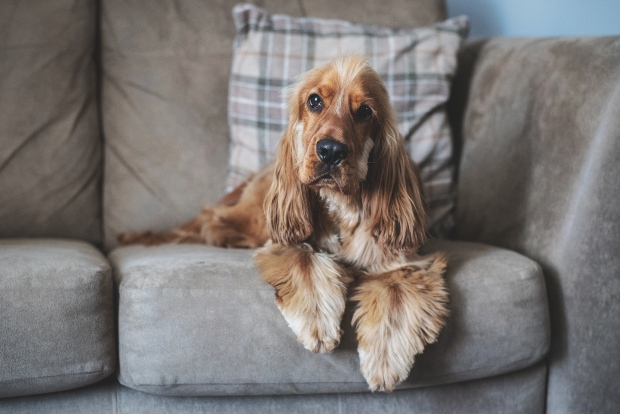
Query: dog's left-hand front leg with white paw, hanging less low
(310, 289)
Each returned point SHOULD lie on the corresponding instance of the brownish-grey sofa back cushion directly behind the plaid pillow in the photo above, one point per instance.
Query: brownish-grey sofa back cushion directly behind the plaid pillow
(164, 90)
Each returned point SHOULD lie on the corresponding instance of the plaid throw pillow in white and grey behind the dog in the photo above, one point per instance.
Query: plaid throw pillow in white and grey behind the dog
(417, 65)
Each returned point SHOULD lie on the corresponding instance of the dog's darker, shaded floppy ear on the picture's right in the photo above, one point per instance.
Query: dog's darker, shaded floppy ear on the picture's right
(392, 195)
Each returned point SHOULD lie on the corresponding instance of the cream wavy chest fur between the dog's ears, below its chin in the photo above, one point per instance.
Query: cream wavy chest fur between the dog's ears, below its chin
(351, 238)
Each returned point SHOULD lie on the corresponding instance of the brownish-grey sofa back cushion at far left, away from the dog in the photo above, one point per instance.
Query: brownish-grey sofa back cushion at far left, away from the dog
(50, 146)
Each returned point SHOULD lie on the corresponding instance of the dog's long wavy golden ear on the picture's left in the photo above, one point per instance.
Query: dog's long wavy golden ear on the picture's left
(288, 205)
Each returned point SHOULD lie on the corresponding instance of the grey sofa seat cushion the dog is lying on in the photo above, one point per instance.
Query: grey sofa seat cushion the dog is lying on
(197, 320)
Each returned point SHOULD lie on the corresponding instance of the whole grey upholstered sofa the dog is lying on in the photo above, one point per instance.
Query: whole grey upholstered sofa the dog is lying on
(112, 117)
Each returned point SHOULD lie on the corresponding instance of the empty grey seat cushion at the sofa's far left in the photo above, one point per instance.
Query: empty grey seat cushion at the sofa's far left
(57, 328)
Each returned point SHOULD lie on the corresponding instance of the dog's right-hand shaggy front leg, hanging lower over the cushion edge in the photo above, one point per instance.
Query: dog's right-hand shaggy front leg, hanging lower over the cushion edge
(398, 313)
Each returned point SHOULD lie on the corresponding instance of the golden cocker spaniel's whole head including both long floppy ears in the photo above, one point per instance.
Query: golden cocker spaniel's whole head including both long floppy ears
(342, 137)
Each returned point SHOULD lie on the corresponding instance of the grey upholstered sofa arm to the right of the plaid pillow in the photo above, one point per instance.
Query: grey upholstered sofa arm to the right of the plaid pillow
(537, 123)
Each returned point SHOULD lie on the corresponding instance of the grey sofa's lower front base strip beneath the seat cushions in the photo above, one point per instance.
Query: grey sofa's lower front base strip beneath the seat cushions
(521, 392)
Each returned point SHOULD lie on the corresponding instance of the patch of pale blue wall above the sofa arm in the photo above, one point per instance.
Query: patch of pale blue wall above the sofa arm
(518, 18)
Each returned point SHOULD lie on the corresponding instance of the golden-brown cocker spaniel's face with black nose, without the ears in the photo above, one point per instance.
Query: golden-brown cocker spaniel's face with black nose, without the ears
(336, 115)
